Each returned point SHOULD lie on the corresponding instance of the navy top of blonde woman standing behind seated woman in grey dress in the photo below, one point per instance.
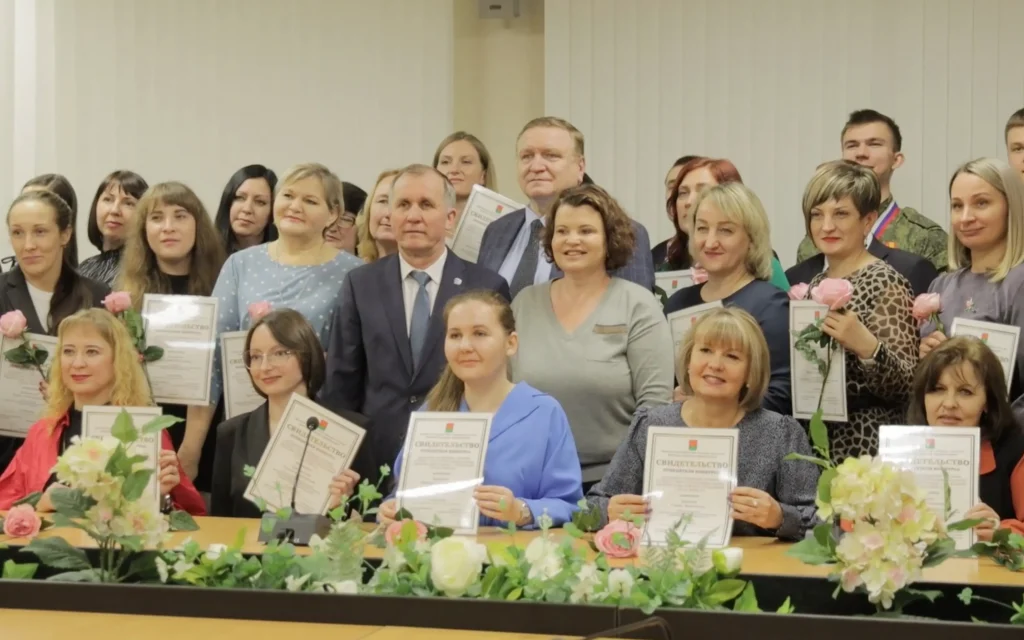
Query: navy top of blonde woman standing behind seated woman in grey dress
(771, 308)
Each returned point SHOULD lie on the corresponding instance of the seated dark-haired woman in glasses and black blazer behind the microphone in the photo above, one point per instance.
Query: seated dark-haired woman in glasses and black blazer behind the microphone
(284, 357)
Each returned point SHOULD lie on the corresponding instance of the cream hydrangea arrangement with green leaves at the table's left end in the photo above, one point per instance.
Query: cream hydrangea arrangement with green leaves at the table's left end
(102, 491)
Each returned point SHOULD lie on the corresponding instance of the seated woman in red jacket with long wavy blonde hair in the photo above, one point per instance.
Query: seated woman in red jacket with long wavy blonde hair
(96, 364)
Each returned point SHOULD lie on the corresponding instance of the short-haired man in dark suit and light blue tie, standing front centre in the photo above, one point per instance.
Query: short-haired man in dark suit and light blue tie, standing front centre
(387, 348)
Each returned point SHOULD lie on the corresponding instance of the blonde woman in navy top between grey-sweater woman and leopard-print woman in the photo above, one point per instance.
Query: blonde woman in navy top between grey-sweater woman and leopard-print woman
(731, 238)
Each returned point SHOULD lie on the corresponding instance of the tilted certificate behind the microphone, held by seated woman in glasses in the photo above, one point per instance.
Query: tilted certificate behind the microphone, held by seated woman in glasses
(288, 466)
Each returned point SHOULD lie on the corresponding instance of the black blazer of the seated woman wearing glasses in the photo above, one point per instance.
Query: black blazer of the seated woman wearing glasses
(241, 442)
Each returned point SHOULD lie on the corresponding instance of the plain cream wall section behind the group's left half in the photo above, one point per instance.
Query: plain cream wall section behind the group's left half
(193, 90)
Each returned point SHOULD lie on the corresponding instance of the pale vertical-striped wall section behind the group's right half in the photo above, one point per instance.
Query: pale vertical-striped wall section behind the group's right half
(770, 86)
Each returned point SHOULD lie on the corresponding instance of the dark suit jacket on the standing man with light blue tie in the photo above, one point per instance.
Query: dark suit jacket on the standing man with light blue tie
(369, 361)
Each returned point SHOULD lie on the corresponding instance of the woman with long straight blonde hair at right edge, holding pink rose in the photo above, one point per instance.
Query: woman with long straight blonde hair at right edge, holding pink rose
(987, 255)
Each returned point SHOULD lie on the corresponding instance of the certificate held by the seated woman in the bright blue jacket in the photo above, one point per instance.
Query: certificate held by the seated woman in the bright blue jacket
(443, 463)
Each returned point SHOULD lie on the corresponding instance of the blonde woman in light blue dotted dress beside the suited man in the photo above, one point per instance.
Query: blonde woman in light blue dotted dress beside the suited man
(300, 271)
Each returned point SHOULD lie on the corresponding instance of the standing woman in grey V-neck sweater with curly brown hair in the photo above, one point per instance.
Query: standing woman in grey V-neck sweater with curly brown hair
(598, 345)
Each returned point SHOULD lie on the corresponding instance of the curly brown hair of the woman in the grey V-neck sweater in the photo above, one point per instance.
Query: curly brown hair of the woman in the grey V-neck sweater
(619, 237)
